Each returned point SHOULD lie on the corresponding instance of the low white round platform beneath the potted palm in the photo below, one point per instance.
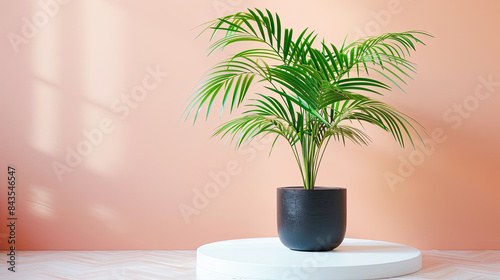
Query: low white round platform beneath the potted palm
(267, 258)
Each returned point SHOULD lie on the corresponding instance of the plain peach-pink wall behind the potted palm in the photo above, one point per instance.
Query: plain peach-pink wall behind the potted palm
(70, 76)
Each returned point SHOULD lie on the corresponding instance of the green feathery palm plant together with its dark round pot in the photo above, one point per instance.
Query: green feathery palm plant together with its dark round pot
(313, 92)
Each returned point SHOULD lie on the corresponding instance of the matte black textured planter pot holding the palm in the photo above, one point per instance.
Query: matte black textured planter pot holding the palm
(312, 220)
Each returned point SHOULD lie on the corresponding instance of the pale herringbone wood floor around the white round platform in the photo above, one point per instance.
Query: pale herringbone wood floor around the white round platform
(181, 265)
